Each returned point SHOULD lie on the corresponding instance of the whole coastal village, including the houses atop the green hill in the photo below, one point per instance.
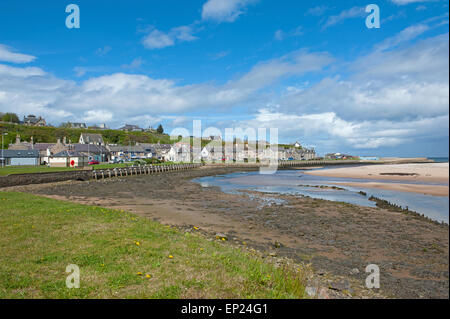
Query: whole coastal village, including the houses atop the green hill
(91, 148)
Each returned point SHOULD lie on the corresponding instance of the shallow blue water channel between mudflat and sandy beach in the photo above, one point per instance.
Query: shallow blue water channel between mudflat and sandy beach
(295, 182)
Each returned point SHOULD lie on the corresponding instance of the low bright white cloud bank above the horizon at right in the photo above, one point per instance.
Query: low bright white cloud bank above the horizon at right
(333, 130)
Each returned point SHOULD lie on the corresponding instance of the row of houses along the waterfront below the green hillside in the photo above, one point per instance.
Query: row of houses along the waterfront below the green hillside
(92, 147)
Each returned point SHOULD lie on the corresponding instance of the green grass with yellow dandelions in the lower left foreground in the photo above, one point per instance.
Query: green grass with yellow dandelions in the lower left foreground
(121, 255)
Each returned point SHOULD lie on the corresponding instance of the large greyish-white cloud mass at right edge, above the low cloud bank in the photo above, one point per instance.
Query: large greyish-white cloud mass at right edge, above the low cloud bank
(404, 84)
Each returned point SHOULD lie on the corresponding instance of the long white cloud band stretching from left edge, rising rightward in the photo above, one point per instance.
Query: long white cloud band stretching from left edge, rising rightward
(133, 95)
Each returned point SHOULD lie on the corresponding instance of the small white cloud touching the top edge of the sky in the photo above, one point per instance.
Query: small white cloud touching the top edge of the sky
(224, 10)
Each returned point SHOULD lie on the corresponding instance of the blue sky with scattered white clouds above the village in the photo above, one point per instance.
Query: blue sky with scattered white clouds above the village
(312, 69)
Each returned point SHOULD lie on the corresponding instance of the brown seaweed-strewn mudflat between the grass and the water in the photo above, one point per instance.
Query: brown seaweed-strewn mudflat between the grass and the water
(338, 239)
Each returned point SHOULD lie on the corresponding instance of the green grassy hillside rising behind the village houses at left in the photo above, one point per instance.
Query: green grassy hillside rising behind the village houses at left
(51, 135)
